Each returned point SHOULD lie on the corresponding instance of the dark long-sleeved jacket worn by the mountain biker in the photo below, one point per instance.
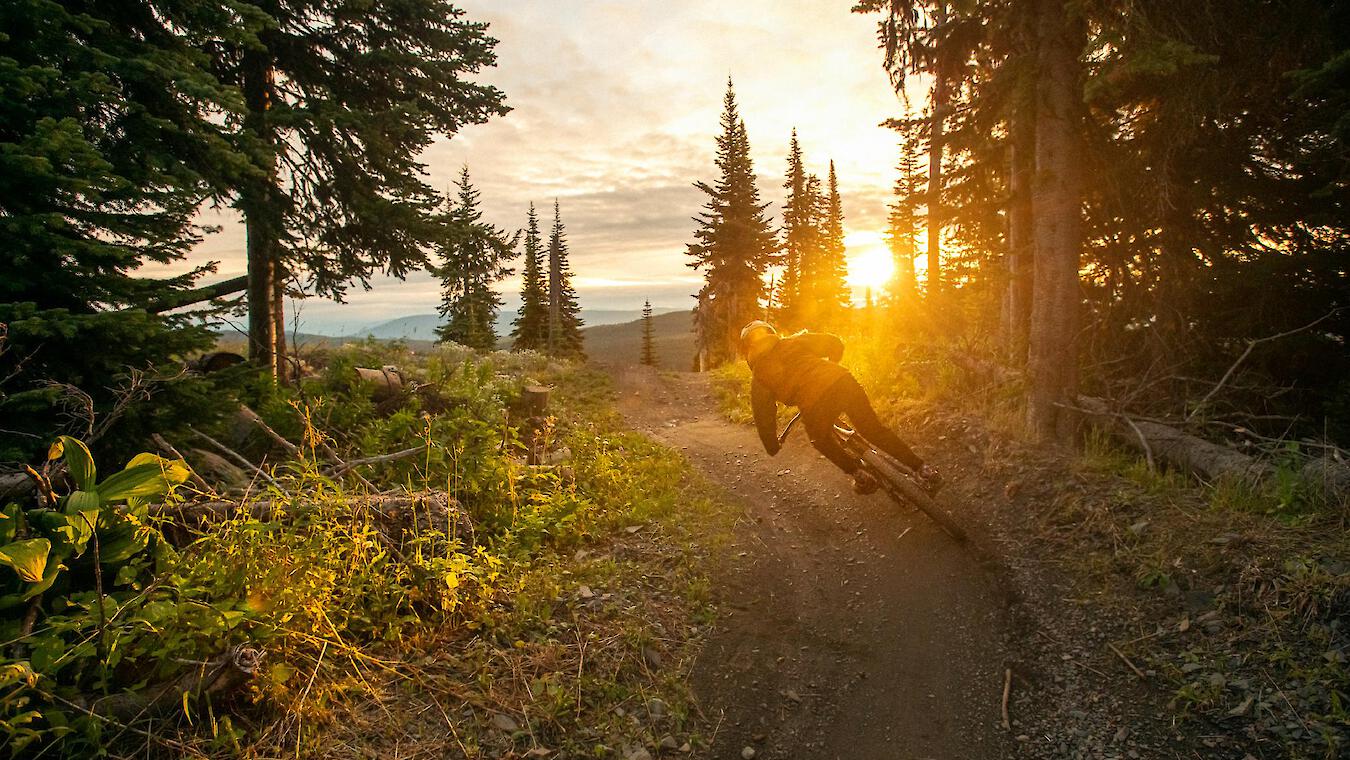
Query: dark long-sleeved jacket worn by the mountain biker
(799, 371)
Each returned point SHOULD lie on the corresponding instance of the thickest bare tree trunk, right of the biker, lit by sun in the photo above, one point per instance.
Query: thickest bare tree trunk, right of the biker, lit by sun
(1052, 358)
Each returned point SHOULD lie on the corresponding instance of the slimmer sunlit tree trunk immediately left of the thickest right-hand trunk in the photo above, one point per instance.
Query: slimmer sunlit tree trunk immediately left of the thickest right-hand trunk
(1020, 230)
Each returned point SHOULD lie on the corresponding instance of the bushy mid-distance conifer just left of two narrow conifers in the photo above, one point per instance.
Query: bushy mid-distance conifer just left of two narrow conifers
(473, 259)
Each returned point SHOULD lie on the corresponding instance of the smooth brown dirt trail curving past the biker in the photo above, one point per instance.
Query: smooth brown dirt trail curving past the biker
(851, 628)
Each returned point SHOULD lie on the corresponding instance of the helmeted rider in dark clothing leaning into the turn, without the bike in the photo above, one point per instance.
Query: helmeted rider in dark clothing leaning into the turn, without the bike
(803, 371)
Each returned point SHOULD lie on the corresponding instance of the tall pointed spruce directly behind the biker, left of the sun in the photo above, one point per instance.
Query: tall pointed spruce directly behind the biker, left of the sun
(734, 244)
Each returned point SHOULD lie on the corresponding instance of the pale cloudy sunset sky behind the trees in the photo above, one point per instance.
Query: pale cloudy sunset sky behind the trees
(616, 106)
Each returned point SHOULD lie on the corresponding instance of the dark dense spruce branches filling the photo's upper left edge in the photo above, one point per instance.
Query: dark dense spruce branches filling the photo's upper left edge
(111, 136)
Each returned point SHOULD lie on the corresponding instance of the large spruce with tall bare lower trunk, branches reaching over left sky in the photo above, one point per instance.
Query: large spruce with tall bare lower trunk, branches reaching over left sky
(340, 105)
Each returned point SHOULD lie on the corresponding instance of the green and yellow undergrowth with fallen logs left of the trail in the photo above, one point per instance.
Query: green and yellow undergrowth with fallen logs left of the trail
(284, 603)
